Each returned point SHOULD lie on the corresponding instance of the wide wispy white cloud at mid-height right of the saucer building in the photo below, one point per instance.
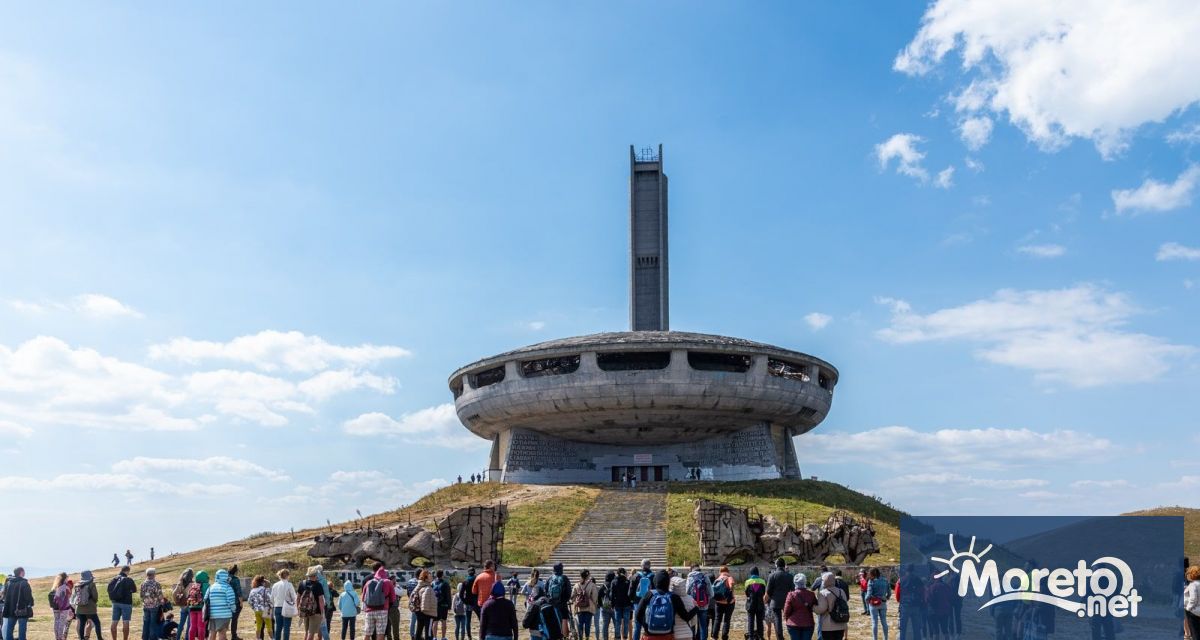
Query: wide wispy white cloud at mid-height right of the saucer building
(1075, 337)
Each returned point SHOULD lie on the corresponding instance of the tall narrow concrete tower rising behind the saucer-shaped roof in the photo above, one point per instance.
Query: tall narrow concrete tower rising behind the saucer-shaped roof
(649, 276)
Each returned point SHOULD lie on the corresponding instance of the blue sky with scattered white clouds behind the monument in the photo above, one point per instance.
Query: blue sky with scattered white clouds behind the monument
(244, 247)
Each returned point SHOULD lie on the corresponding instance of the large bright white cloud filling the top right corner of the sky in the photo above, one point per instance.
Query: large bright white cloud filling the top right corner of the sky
(1094, 69)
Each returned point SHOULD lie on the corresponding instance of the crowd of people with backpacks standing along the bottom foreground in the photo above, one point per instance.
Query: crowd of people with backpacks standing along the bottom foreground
(637, 605)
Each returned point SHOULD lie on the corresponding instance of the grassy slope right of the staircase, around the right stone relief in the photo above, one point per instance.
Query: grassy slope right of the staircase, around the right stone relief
(801, 501)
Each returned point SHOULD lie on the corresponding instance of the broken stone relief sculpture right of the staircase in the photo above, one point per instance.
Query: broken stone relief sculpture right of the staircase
(735, 535)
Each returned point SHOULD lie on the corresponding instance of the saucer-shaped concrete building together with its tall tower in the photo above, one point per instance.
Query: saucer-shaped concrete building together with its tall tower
(653, 404)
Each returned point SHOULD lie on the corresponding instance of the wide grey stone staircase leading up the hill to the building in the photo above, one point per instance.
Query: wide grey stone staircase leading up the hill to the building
(620, 530)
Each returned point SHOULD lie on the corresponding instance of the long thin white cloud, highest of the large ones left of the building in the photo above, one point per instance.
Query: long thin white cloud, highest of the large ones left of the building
(273, 351)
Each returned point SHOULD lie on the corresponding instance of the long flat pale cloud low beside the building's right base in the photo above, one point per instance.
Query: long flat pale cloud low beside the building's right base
(907, 448)
